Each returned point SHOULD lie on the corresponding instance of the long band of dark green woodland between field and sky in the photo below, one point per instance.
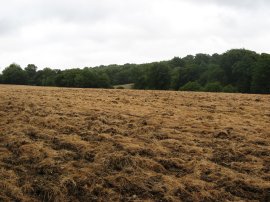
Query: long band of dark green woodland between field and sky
(237, 70)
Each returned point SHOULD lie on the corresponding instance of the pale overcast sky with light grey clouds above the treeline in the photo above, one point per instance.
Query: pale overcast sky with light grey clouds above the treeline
(78, 33)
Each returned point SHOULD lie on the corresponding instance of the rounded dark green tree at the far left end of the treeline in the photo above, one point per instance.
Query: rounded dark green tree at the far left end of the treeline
(13, 74)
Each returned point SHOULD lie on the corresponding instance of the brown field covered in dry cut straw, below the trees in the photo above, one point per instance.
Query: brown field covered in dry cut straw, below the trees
(59, 144)
